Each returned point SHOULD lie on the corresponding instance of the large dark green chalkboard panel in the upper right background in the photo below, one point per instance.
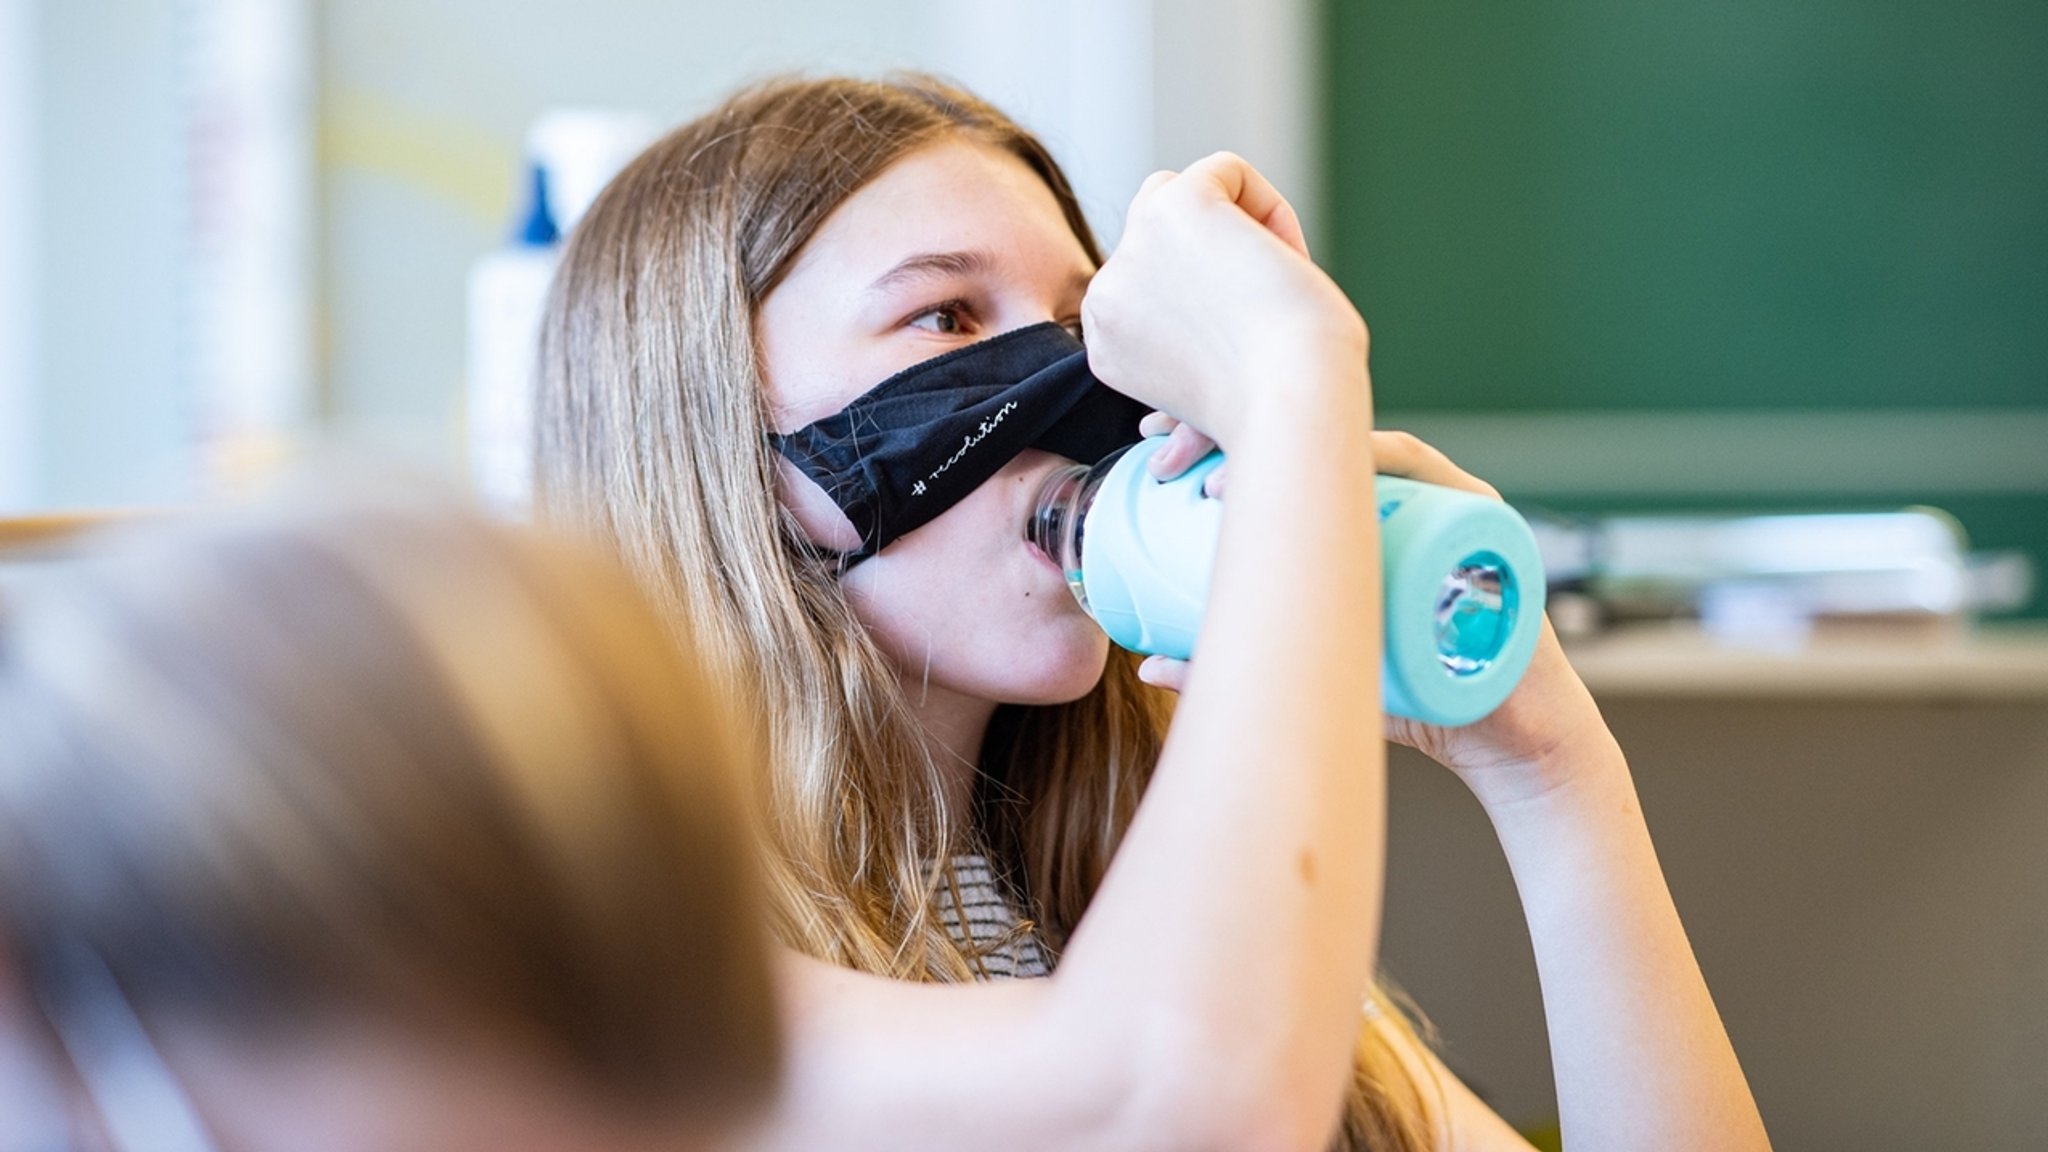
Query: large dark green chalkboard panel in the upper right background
(1707, 204)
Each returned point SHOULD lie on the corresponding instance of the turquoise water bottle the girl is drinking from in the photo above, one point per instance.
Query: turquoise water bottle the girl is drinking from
(1463, 583)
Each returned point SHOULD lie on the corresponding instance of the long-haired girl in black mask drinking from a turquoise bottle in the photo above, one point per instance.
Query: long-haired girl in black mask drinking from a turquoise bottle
(775, 349)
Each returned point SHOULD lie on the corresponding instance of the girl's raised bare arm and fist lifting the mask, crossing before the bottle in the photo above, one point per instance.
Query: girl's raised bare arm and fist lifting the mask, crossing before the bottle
(1211, 995)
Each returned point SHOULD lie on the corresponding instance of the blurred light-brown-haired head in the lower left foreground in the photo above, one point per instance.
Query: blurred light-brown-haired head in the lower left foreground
(374, 827)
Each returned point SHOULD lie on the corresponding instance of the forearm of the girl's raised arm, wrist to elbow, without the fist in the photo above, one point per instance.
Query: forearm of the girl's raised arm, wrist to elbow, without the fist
(1250, 880)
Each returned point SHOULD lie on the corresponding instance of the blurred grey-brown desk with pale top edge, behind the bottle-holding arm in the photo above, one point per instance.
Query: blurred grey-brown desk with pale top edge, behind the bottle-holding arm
(1859, 841)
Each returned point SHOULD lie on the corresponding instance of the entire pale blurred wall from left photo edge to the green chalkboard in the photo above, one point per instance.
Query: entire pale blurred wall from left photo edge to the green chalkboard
(120, 362)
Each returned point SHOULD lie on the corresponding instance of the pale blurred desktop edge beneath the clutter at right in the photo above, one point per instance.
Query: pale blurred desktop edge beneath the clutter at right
(1998, 663)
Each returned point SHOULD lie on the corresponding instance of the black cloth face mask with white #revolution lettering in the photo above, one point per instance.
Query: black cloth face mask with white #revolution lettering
(921, 442)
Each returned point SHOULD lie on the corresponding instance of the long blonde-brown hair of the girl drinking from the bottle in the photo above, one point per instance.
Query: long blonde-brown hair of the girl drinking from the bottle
(652, 434)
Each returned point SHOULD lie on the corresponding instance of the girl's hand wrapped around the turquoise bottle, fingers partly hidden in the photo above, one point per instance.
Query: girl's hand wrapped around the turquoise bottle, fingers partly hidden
(1527, 745)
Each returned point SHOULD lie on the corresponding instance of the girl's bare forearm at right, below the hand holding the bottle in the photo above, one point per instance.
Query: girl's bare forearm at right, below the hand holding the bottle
(1637, 1044)
